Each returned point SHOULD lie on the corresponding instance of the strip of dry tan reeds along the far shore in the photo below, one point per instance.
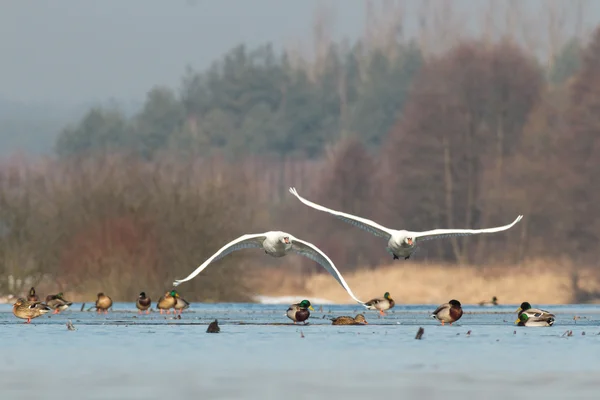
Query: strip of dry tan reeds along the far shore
(408, 283)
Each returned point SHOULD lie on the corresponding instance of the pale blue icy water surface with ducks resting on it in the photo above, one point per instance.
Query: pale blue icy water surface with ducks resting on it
(259, 354)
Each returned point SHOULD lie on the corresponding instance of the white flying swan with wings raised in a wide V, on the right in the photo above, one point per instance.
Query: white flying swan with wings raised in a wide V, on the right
(401, 243)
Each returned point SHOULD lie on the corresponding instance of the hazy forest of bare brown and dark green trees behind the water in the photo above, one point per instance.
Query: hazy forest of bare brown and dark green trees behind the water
(441, 130)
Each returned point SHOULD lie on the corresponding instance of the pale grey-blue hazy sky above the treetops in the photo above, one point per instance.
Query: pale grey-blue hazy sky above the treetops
(73, 51)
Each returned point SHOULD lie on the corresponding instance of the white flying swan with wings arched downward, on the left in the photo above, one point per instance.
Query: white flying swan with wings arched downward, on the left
(275, 244)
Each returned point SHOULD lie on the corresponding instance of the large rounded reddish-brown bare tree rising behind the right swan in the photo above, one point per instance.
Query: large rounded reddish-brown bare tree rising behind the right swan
(464, 117)
